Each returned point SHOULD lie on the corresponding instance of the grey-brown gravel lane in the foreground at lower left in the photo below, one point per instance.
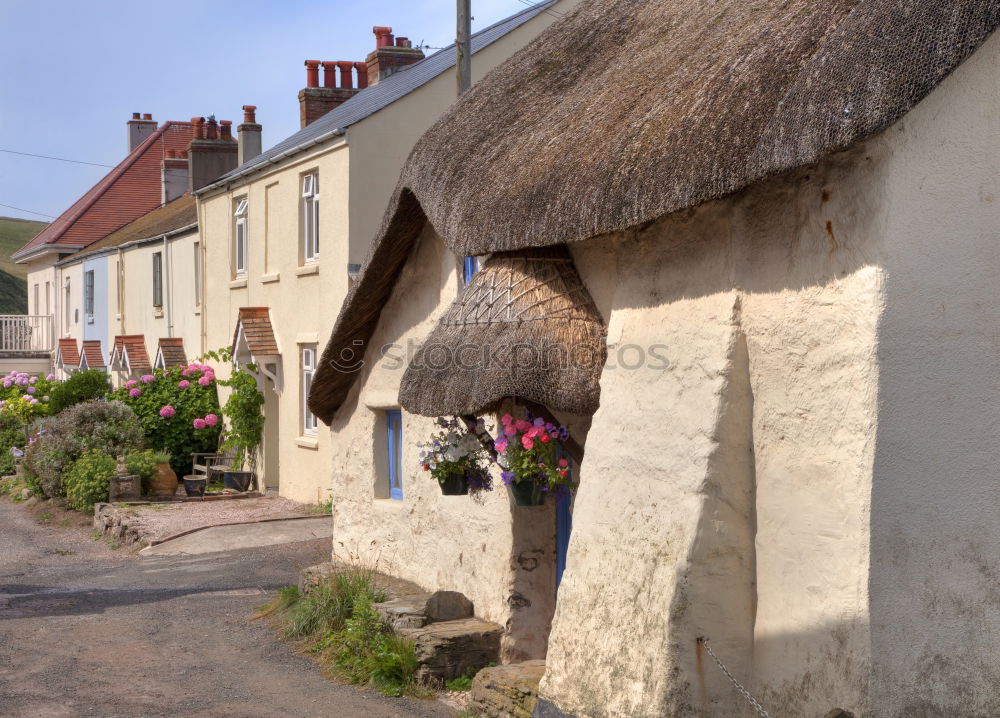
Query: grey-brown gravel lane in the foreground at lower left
(87, 632)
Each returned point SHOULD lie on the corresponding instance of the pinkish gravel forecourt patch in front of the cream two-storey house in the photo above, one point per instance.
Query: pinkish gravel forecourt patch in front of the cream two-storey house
(158, 521)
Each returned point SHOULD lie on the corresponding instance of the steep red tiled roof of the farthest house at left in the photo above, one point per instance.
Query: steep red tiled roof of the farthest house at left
(128, 191)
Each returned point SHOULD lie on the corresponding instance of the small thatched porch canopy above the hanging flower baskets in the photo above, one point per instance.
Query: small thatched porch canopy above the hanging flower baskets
(525, 327)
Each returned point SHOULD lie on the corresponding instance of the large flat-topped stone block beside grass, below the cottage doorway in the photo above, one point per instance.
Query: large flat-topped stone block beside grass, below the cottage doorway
(451, 649)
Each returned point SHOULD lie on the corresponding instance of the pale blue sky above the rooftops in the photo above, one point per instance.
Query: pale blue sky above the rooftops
(73, 73)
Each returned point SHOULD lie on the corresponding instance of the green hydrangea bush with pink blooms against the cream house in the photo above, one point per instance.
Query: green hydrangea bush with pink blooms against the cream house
(174, 431)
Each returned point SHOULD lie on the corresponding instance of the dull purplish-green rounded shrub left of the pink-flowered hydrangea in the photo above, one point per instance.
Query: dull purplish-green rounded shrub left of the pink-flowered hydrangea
(109, 427)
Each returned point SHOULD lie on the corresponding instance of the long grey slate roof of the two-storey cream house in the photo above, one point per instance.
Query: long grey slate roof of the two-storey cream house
(385, 92)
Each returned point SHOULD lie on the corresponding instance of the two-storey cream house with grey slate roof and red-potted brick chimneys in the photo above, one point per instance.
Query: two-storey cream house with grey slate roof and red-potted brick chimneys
(283, 235)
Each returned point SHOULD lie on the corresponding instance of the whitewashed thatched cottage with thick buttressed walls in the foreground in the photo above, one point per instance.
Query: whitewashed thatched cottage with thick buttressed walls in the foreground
(777, 223)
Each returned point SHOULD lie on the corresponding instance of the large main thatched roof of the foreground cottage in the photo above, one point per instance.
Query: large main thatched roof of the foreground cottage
(628, 110)
